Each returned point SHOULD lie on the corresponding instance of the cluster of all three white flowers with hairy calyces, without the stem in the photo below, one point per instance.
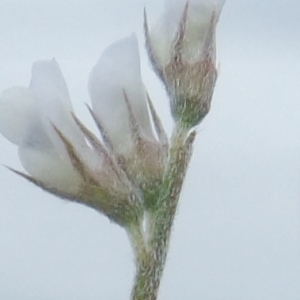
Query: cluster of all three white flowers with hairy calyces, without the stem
(115, 171)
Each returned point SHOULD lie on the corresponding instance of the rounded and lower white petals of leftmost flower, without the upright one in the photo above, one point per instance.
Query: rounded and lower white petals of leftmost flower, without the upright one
(21, 123)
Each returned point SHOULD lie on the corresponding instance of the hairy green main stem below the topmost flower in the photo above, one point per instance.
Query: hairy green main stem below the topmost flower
(151, 256)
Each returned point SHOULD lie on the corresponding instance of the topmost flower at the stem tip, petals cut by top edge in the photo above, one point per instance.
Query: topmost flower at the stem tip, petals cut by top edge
(181, 47)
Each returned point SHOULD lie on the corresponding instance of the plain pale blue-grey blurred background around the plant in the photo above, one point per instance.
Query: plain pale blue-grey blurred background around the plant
(237, 233)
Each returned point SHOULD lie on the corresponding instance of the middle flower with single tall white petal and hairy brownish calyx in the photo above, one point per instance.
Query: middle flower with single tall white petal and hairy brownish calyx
(119, 102)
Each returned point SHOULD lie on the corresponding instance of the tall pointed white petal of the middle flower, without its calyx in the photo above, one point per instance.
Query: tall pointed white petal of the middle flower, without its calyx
(118, 70)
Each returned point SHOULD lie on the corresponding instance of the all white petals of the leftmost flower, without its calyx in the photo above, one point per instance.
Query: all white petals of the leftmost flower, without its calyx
(26, 118)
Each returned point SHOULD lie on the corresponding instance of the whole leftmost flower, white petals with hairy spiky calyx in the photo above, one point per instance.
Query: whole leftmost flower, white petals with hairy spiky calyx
(53, 148)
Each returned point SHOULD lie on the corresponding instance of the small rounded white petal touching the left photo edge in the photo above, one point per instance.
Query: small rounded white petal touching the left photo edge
(16, 106)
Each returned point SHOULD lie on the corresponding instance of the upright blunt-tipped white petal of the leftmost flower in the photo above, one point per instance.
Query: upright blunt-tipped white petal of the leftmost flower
(54, 106)
